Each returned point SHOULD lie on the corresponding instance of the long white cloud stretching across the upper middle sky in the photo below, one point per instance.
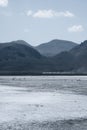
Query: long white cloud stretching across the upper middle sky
(49, 14)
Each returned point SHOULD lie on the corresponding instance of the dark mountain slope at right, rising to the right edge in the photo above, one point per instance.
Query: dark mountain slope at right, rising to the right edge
(74, 60)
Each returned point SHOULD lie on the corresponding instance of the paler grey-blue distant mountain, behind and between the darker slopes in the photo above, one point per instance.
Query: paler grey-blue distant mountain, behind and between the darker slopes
(55, 47)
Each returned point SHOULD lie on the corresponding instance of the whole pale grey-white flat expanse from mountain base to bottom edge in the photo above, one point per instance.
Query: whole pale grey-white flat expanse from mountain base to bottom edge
(43, 102)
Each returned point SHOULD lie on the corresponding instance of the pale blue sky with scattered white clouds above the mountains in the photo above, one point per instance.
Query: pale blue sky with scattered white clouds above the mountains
(40, 21)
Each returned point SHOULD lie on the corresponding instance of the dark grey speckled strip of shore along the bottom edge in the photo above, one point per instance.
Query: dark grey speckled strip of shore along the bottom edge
(79, 124)
